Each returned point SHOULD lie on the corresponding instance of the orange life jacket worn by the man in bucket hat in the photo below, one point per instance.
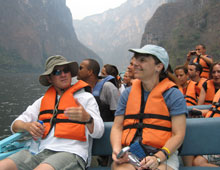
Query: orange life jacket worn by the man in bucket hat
(64, 128)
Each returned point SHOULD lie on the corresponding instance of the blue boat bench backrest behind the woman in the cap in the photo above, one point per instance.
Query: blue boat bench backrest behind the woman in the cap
(202, 137)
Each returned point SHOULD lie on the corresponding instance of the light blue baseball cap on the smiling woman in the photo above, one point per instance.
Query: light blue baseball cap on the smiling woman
(155, 50)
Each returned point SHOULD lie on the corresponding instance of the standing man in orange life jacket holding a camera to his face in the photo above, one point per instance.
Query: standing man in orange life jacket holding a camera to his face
(202, 58)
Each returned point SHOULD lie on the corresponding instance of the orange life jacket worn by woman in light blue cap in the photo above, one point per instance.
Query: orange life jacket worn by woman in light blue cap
(156, 127)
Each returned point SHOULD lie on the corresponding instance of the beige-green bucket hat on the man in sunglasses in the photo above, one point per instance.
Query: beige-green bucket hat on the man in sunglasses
(57, 60)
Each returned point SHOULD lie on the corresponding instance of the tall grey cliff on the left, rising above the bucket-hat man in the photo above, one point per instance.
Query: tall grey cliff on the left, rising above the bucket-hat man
(32, 30)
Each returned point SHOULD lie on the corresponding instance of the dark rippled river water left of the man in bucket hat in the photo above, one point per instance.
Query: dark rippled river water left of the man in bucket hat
(17, 91)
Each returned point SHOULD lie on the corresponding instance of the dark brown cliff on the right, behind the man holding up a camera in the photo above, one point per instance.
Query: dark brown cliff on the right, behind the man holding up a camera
(180, 26)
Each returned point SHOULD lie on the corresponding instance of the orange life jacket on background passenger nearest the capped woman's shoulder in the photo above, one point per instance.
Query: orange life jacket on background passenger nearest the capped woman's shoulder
(190, 96)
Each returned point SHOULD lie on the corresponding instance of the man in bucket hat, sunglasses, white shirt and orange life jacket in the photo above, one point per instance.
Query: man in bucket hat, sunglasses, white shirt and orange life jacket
(70, 119)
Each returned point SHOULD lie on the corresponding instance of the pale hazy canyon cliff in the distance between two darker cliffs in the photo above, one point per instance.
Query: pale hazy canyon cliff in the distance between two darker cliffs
(112, 33)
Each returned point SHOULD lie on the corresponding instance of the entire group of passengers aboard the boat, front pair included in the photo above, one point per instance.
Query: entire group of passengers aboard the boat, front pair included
(147, 105)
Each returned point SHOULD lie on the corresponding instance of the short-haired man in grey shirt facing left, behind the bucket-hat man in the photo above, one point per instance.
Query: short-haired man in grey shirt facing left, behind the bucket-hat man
(104, 90)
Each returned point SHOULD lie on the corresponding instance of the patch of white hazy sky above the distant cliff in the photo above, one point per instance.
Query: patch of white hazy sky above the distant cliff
(83, 8)
